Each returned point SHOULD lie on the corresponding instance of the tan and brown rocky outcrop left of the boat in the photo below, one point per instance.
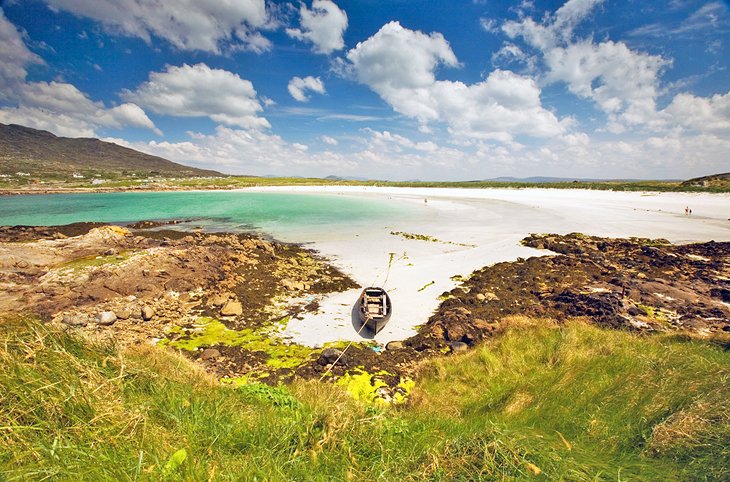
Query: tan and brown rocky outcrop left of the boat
(146, 284)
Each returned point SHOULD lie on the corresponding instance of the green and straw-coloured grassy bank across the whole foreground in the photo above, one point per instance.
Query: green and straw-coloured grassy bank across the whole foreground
(576, 402)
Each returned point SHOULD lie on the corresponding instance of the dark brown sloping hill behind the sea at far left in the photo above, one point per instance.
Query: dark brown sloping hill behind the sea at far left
(44, 155)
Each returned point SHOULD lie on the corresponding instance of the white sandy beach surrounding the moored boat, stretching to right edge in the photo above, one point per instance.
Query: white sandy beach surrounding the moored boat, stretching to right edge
(486, 225)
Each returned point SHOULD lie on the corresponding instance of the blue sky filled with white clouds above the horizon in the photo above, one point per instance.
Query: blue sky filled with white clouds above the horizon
(398, 90)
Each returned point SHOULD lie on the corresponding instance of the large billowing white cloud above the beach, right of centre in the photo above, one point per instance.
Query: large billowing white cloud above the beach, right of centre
(400, 65)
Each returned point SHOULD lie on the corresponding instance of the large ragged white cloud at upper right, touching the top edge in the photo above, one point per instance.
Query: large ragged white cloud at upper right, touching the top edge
(622, 82)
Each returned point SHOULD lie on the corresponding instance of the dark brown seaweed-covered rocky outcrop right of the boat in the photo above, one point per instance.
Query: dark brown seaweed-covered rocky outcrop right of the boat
(633, 284)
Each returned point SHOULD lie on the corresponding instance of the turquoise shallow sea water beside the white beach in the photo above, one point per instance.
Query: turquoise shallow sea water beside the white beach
(274, 213)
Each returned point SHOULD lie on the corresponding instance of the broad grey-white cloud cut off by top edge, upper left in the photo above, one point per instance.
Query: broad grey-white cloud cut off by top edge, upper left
(207, 25)
